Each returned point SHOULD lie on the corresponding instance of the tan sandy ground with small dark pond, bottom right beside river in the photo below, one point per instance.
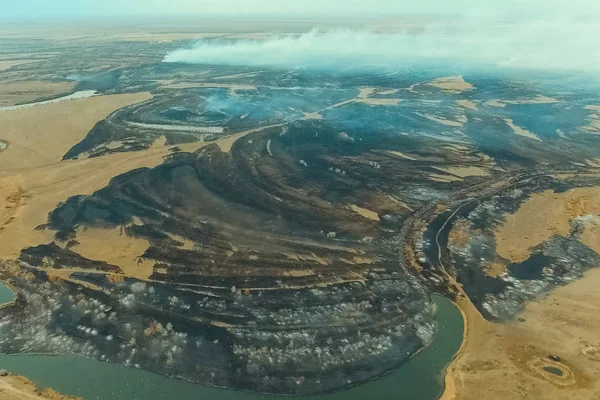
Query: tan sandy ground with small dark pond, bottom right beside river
(505, 361)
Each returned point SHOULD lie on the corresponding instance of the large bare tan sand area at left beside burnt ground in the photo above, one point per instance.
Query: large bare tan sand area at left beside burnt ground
(33, 180)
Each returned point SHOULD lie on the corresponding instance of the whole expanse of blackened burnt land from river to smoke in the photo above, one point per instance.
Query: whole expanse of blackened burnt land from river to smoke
(292, 238)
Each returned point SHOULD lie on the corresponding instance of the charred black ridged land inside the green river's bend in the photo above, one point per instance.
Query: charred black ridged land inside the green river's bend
(261, 265)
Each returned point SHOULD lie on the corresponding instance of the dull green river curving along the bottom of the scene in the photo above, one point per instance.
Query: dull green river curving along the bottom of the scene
(421, 378)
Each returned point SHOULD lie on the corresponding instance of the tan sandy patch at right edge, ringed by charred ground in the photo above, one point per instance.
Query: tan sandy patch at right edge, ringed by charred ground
(528, 228)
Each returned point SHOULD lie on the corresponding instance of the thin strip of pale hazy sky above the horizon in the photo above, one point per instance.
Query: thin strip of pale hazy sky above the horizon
(95, 8)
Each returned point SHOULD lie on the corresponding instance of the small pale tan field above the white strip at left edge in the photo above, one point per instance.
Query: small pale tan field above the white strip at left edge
(12, 93)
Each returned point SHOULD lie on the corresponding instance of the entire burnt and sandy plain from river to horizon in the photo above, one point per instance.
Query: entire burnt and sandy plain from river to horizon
(281, 230)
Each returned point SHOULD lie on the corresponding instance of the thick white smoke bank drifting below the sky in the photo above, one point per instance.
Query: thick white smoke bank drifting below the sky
(549, 44)
